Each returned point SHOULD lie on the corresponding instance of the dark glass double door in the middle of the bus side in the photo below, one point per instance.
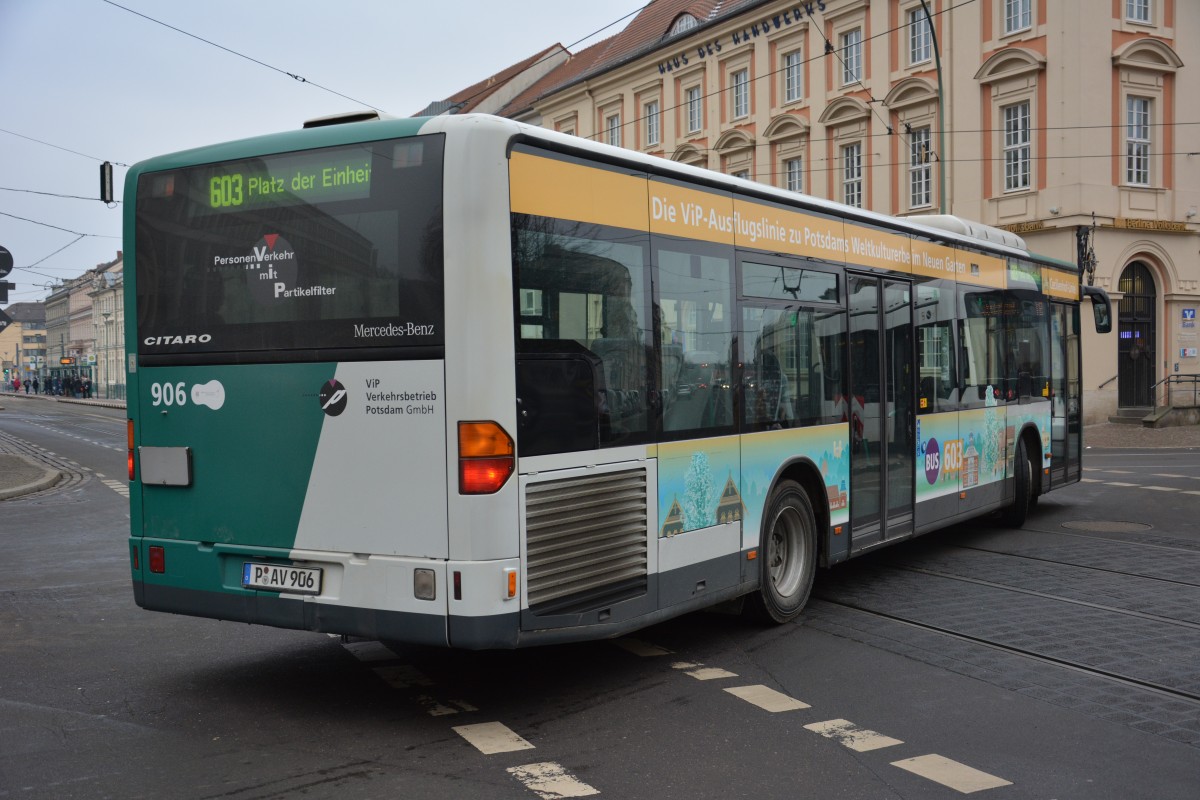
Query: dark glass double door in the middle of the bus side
(881, 411)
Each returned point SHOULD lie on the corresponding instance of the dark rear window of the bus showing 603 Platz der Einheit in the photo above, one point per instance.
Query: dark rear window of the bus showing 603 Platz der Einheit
(331, 249)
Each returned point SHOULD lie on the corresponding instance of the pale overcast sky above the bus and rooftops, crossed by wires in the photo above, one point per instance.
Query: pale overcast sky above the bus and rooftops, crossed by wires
(93, 79)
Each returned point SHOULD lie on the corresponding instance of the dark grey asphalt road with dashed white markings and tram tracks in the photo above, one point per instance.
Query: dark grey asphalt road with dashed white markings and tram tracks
(1060, 661)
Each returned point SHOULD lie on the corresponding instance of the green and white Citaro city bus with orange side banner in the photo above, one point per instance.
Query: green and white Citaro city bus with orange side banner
(470, 383)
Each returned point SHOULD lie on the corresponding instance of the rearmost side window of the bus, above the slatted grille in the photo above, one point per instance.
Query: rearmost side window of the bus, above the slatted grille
(584, 322)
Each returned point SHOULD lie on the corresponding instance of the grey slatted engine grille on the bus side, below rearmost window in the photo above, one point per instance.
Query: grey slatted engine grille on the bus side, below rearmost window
(586, 540)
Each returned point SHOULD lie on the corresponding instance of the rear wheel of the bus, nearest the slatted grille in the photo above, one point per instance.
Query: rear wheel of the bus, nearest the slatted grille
(788, 555)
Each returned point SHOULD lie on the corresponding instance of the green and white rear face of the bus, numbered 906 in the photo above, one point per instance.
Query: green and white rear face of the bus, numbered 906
(289, 435)
